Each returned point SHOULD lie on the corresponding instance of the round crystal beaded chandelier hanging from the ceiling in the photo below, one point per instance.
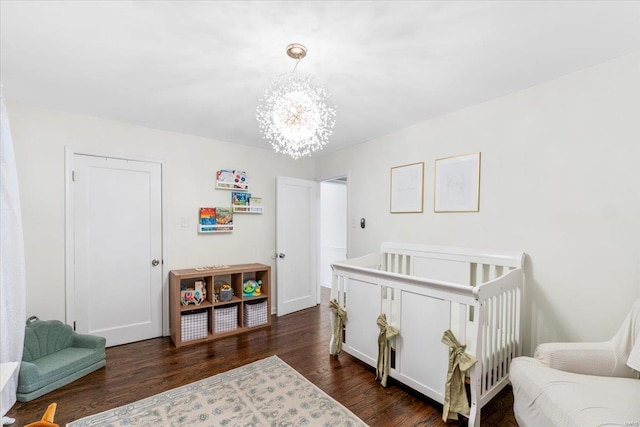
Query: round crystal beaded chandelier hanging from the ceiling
(293, 115)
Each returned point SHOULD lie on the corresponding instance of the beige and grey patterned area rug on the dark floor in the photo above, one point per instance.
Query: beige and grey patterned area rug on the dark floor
(264, 393)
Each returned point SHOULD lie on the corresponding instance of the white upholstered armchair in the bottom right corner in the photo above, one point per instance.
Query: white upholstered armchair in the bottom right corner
(581, 384)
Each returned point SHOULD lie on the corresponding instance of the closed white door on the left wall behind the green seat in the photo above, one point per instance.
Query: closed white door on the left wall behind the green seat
(117, 242)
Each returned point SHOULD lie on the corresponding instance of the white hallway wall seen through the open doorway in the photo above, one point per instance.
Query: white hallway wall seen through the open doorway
(333, 227)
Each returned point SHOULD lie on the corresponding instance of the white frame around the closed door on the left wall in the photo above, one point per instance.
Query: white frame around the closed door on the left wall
(69, 242)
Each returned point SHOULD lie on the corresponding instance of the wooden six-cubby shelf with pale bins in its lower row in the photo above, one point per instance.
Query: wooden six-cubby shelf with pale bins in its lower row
(212, 319)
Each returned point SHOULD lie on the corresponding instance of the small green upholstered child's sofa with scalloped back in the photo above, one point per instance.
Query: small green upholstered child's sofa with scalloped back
(54, 355)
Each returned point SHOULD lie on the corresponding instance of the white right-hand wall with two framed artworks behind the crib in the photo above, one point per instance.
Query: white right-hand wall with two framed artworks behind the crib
(560, 180)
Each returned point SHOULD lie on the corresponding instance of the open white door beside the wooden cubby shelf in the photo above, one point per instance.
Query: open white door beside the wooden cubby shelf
(296, 244)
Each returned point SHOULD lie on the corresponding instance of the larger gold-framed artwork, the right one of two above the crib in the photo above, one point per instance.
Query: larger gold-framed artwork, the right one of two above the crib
(457, 184)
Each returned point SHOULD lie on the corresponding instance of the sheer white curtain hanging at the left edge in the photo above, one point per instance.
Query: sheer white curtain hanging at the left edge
(12, 272)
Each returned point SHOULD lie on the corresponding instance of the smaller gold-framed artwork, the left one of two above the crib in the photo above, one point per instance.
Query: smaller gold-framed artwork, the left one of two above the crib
(407, 192)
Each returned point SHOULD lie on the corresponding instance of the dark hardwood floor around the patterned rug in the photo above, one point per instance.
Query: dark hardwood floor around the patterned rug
(138, 370)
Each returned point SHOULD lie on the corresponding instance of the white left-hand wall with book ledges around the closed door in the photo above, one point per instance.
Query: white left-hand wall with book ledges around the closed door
(40, 137)
